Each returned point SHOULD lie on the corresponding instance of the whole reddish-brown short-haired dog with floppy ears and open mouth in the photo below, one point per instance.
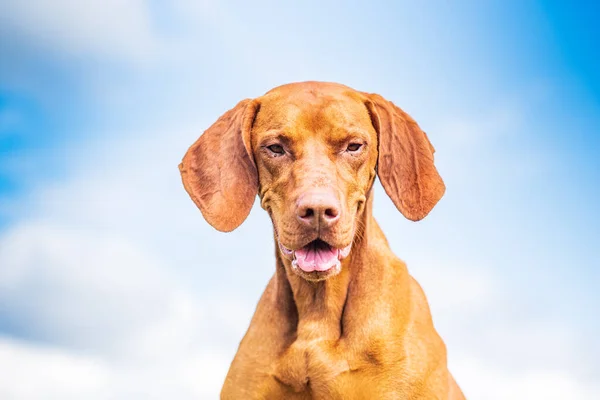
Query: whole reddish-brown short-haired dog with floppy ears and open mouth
(341, 318)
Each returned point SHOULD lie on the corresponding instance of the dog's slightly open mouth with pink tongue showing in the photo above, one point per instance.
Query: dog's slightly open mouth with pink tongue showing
(317, 255)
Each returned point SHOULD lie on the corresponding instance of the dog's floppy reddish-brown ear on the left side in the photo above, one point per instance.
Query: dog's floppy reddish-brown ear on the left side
(218, 170)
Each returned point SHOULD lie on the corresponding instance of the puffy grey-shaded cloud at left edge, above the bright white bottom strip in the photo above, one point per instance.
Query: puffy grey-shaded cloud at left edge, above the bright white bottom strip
(91, 290)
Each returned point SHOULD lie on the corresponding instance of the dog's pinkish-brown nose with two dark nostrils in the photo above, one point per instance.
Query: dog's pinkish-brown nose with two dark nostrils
(318, 209)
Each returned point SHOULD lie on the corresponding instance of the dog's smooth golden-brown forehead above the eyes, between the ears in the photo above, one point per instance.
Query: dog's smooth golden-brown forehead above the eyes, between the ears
(313, 107)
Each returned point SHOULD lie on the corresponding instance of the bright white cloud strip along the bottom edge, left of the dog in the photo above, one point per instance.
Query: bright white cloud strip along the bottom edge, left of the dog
(31, 372)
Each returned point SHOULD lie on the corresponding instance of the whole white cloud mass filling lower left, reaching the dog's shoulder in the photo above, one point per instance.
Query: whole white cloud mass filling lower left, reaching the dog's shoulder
(121, 324)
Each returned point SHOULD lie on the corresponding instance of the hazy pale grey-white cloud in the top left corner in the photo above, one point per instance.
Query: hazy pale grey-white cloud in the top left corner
(105, 28)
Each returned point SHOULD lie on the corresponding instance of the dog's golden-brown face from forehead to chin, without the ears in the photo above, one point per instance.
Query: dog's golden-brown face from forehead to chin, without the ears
(316, 154)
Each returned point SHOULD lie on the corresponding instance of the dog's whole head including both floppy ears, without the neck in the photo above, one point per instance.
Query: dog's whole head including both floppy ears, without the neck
(311, 151)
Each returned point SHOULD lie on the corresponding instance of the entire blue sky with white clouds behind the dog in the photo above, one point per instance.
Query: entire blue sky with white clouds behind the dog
(112, 286)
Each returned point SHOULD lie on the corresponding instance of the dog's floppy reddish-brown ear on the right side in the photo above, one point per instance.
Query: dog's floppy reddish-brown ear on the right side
(405, 162)
